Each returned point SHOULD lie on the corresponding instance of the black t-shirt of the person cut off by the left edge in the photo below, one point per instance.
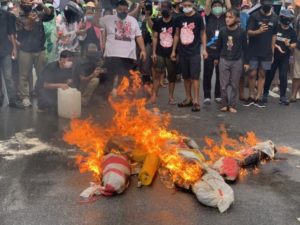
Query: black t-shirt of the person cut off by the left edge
(6, 29)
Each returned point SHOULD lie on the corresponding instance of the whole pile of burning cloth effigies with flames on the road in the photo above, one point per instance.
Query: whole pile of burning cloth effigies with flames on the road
(140, 142)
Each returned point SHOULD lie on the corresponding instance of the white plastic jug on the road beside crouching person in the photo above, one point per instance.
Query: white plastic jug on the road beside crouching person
(69, 103)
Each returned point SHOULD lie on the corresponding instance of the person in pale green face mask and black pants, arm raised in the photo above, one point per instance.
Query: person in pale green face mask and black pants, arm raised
(215, 20)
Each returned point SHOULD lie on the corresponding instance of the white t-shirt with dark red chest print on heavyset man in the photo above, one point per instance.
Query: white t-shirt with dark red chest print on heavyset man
(120, 36)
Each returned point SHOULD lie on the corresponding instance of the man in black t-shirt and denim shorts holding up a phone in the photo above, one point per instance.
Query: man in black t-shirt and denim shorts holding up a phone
(262, 30)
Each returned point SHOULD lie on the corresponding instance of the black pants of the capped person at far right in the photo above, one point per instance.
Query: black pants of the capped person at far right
(281, 63)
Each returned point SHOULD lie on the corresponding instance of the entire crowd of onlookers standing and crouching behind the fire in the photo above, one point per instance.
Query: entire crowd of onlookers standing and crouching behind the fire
(82, 44)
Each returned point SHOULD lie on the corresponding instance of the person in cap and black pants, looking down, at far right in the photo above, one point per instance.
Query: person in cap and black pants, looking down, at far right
(285, 42)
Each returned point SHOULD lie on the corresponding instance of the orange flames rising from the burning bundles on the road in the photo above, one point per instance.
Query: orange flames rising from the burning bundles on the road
(150, 132)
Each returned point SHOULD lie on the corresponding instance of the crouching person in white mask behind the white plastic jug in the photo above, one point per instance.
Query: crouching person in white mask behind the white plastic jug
(55, 75)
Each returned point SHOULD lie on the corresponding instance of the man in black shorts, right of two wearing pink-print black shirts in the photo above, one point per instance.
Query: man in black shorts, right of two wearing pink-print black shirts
(190, 34)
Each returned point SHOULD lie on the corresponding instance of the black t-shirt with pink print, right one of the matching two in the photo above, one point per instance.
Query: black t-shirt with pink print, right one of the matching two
(190, 34)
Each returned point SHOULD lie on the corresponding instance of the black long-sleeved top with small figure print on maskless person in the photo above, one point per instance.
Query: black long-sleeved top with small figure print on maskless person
(232, 44)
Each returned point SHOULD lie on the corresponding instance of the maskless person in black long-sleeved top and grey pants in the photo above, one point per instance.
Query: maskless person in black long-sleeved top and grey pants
(232, 47)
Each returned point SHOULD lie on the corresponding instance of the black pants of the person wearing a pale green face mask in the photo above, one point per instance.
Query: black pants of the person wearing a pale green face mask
(208, 73)
